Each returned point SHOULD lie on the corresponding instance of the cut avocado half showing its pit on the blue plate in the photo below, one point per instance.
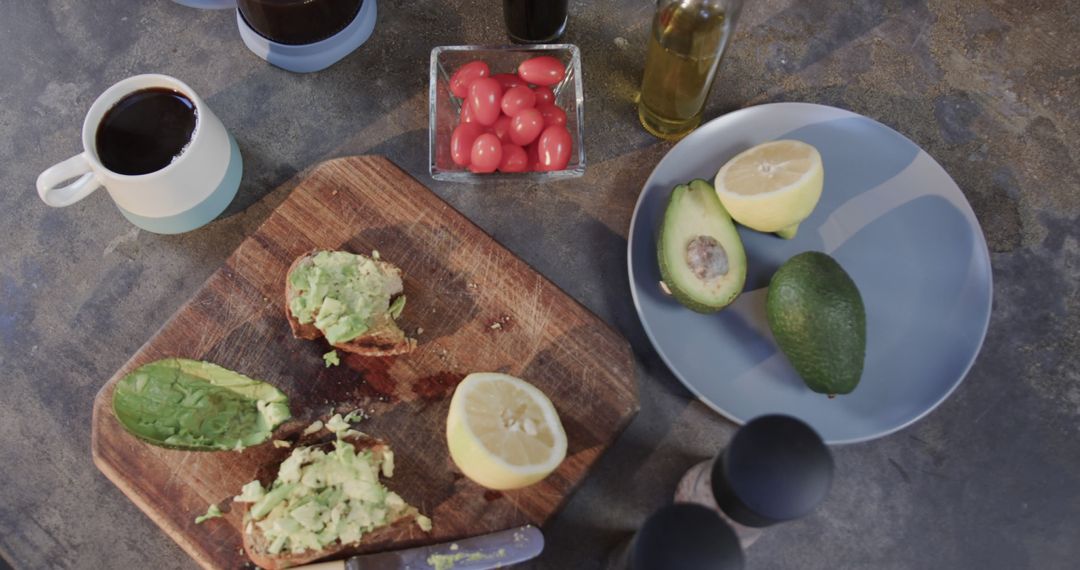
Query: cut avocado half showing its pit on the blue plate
(701, 257)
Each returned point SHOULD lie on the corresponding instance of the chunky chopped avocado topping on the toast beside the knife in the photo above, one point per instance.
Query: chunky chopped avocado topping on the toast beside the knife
(321, 498)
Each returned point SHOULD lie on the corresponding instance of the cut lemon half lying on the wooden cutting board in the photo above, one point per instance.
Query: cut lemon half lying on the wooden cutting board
(504, 433)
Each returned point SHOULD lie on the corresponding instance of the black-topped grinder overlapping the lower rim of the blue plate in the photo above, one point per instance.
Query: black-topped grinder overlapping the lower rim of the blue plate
(776, 469)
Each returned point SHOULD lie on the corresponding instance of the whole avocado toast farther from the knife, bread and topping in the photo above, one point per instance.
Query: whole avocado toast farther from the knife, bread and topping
(350, 300)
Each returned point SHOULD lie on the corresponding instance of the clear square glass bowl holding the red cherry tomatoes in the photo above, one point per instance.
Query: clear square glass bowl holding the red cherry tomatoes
(444, 108)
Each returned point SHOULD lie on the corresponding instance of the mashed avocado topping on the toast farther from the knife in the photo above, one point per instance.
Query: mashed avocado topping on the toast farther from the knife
(341, 293)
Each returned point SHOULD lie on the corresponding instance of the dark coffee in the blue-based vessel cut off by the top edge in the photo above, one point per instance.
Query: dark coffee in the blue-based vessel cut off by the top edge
(299, 22)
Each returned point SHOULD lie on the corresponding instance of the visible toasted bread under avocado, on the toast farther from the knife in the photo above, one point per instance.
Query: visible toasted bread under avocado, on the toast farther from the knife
(384, 337)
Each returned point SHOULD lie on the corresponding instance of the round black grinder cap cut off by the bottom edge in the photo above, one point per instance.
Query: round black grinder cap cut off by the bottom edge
(688, 537)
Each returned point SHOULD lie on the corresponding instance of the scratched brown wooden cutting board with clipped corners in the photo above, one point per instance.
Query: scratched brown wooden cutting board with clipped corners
(474, 306)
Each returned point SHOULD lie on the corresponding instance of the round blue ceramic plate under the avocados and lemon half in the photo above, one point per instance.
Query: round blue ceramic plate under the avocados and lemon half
(896, 222)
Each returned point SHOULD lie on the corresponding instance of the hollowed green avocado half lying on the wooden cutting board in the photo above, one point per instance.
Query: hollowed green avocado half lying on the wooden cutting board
(198, 406)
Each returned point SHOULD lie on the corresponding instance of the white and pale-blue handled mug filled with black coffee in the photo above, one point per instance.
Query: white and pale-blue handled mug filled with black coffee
(163, 155)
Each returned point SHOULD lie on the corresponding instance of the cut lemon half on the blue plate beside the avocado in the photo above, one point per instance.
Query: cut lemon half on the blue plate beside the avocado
(773, 187)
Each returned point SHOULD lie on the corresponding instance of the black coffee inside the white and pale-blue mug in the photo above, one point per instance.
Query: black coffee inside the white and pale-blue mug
(145, 131)
